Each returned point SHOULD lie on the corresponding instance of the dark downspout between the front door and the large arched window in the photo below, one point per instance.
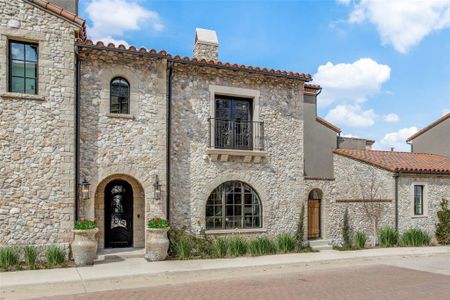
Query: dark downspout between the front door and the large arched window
(168, 132)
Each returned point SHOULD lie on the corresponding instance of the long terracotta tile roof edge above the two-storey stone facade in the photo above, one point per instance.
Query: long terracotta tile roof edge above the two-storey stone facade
(186, 59)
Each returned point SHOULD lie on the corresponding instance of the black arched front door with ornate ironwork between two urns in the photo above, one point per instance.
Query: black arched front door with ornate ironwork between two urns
(118, 214)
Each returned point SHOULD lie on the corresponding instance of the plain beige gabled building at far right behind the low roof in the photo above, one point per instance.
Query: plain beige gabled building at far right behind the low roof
(435, 138)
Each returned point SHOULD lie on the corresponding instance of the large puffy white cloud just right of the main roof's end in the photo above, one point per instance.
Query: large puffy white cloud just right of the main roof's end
(354, 81)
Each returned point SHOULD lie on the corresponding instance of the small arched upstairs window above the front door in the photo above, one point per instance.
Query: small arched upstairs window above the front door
(120, 96)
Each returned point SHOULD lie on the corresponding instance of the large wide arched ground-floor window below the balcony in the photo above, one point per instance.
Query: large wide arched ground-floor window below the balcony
(233, 204)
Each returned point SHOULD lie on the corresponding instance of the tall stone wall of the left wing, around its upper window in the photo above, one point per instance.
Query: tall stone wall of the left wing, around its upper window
(37, 132)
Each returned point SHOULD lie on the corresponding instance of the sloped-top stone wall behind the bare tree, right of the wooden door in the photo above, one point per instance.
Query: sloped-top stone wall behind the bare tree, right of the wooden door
(350, 174)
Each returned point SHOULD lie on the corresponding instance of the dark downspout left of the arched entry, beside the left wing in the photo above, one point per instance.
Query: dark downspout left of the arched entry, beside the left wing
(77, 133)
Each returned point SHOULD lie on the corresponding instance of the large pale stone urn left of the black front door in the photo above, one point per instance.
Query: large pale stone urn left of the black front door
(84, 246)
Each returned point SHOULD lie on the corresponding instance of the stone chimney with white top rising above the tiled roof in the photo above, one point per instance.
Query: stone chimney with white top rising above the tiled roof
(206, 45)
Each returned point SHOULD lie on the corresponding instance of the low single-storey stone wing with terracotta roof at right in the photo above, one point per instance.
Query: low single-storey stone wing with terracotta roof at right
(410, 184)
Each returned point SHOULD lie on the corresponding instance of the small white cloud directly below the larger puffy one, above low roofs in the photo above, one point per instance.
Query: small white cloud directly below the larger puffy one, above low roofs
(351, 116)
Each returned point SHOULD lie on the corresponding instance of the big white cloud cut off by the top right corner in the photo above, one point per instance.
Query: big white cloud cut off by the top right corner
(402, 23)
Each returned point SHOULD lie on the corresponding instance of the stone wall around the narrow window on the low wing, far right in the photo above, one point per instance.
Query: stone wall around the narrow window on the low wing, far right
(436, 188)
